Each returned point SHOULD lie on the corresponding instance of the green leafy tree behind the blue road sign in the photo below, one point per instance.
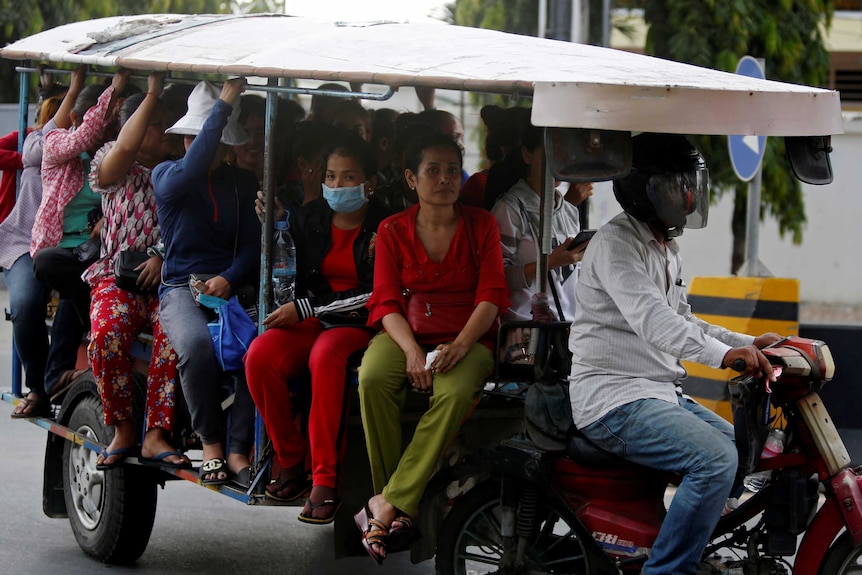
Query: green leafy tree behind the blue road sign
(788, 35)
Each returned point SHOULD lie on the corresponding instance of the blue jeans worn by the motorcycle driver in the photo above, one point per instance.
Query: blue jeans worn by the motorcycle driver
(686, 439)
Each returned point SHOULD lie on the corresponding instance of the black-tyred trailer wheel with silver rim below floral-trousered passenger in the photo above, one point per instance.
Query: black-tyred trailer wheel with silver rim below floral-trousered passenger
(111, 512)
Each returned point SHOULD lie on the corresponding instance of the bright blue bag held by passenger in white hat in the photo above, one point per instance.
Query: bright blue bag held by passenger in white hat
(232, 333)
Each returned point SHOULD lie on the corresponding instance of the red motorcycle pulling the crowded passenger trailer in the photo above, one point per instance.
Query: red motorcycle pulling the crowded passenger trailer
(584, 510)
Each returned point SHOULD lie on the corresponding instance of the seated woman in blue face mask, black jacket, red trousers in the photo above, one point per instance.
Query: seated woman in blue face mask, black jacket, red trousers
(316, 333)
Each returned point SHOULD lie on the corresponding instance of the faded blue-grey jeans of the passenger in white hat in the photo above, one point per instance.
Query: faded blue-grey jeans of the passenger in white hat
(186, 327)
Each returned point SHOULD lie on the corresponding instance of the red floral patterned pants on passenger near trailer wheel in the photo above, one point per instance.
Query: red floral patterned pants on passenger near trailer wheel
(117, 317)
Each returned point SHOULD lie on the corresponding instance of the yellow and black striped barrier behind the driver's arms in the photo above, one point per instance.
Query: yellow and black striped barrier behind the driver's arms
(743, 304)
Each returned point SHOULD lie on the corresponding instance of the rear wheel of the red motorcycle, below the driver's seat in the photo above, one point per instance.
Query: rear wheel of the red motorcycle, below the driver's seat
(471, 541)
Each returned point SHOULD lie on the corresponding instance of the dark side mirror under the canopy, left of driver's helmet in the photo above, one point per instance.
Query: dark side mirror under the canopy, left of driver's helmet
(586, 155)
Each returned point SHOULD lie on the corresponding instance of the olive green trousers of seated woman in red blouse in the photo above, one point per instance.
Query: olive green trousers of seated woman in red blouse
(383, 387)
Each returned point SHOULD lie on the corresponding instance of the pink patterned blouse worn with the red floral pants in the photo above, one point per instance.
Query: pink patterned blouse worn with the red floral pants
(130, 216)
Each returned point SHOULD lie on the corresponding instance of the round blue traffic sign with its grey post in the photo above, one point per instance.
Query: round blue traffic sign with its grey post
(746, 155)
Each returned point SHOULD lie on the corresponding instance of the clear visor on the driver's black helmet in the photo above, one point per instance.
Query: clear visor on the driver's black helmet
(681, 200)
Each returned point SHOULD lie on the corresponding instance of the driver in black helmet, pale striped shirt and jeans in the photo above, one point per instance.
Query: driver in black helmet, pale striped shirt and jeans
(633, 325)
